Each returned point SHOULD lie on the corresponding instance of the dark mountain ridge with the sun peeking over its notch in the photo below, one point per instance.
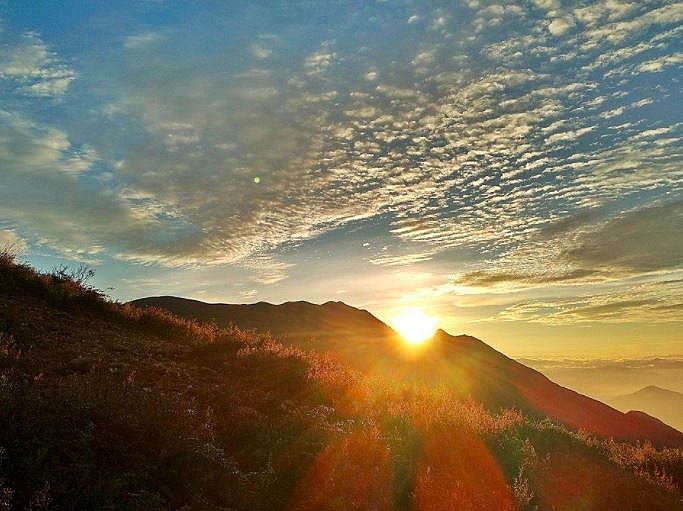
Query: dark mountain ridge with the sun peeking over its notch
(459, 362)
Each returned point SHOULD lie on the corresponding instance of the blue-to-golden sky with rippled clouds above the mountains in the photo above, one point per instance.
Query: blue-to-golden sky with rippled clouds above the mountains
(515, 169)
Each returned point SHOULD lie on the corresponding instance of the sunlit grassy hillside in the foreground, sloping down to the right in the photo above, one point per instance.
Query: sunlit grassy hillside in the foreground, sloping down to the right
(106, 406)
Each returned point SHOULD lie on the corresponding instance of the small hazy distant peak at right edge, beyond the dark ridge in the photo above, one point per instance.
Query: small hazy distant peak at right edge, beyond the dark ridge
(662, 403)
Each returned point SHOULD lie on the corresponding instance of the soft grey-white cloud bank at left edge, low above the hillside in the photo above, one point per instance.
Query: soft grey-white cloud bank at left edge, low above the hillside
(42, 168)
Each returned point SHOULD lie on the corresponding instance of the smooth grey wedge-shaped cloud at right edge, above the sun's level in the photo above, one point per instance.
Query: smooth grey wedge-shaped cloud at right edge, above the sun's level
(586, 248)
